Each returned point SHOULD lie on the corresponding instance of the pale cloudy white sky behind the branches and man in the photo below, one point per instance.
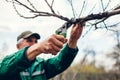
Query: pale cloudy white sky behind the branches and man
(11, 25)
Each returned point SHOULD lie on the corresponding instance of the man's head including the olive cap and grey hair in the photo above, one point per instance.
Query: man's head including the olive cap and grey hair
(27, 38)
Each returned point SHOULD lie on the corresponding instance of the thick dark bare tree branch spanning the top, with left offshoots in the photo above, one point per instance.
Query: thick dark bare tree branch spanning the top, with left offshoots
(103, 15)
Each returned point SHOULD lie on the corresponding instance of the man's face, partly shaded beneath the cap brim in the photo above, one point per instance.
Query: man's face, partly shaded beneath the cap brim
(27, 42)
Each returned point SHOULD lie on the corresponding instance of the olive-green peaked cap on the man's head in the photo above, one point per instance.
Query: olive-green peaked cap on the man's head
(27, 34)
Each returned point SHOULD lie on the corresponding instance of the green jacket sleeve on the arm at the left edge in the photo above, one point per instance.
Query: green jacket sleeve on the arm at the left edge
(14, 63)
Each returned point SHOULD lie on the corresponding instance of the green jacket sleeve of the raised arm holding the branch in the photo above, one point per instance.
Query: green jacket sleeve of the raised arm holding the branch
(61, 62)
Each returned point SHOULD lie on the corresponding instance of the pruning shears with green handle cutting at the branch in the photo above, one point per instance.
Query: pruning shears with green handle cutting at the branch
(63, 29)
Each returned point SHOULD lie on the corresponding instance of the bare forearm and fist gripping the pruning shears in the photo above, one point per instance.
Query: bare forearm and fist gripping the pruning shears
(52, 45)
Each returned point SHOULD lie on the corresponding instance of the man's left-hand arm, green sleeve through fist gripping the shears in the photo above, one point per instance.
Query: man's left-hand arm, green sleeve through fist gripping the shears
(22, 59)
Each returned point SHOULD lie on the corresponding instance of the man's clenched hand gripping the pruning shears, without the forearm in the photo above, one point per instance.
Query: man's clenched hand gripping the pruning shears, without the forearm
(53, 44)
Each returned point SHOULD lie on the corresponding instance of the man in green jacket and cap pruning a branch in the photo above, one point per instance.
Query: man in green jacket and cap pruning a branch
(25, 65)
